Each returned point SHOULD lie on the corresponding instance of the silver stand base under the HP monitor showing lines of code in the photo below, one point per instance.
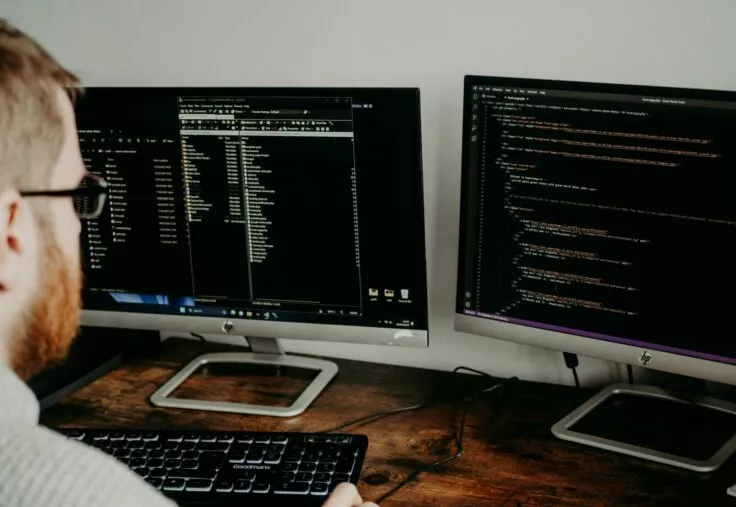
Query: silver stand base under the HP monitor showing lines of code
(692, 432)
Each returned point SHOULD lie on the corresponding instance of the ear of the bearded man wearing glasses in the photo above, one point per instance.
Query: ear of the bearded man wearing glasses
(17, 245)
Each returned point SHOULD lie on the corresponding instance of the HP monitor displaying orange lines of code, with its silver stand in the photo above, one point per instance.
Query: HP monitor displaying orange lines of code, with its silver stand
(600, 220)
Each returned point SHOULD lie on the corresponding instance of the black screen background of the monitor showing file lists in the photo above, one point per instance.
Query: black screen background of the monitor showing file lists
(311, 210)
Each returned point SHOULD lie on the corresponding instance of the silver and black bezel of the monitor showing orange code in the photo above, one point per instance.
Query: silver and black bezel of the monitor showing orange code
(648, 357)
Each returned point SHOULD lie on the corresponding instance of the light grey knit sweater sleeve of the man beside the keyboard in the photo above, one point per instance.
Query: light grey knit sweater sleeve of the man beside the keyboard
(39, 468)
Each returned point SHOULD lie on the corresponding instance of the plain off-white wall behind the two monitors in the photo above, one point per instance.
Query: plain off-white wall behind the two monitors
(425, 43)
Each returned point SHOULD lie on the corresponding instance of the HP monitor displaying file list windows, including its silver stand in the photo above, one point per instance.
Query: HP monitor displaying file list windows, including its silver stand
(263, 212)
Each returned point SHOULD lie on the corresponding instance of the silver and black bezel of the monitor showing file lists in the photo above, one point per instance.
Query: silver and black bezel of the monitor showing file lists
(234, 326)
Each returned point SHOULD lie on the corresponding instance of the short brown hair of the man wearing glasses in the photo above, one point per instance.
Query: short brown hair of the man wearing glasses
(31, 128)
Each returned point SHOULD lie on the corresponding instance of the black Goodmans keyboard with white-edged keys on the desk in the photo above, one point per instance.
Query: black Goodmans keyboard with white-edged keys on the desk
(239, 468)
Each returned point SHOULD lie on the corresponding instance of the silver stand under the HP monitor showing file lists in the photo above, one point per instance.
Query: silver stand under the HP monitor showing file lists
(264, 352)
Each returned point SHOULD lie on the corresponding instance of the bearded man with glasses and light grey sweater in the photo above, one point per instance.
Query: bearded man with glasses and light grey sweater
(40, 280)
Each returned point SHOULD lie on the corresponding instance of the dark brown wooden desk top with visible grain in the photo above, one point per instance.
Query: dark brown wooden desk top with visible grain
(511, 458)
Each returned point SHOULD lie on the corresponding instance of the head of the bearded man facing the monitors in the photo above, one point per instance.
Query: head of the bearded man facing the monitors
(40, 278)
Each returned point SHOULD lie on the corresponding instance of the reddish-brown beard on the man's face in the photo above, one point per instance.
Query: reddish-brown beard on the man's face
(50, 324)
